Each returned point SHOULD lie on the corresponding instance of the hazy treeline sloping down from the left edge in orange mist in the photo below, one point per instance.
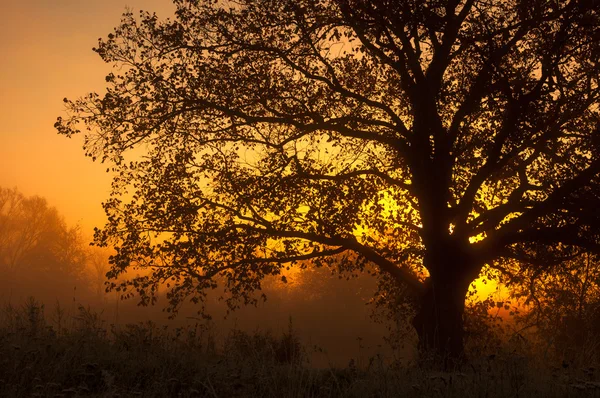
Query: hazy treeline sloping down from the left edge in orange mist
(41, 255)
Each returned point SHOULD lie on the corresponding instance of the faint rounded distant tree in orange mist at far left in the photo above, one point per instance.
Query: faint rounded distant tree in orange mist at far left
(37, 248)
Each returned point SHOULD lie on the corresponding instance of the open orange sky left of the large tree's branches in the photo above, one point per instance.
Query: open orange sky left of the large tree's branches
(46, 55)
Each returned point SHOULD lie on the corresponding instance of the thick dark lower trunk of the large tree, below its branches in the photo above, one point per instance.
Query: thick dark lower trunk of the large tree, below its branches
(439, 320)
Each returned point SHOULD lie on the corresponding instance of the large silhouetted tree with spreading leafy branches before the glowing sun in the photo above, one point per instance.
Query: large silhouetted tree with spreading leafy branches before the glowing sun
(444, 134)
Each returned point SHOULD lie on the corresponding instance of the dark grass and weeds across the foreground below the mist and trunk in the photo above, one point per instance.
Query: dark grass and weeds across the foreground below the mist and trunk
(71, 356)
